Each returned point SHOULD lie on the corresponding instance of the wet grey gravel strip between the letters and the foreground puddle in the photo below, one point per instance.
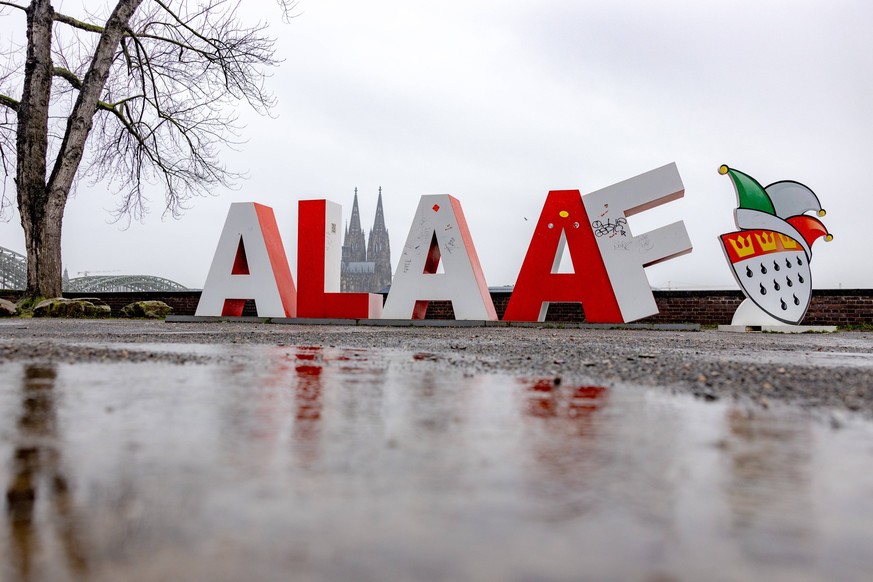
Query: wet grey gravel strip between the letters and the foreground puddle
(820, 371)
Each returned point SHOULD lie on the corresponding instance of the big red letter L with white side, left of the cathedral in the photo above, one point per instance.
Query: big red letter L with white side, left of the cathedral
(319, 255)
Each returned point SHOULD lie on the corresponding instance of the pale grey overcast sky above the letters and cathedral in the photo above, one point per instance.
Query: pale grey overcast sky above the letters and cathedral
(497, 102)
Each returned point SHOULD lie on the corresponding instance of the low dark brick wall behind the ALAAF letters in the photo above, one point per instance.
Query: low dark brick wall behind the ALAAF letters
(828, 306)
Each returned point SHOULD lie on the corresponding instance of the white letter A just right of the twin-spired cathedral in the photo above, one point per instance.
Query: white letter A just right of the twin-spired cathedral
(439, 231)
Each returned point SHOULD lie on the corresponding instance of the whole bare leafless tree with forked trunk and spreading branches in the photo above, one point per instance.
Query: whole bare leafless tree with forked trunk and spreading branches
(138, 96)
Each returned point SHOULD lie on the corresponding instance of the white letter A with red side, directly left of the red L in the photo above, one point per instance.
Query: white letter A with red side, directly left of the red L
(249, 263)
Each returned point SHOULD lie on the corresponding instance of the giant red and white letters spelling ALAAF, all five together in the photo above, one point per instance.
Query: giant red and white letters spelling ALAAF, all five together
(609, 261)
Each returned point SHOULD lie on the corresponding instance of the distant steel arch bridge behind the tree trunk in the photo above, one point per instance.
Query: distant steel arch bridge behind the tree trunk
(13, 275)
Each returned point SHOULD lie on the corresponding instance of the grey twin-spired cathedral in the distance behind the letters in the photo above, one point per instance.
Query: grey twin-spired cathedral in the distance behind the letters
(366, 264)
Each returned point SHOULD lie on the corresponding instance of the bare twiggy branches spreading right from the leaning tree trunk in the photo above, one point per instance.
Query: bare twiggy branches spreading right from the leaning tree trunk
(167, 102)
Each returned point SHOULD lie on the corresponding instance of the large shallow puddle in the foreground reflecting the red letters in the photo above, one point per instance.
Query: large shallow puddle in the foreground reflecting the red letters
(327, 464)
